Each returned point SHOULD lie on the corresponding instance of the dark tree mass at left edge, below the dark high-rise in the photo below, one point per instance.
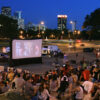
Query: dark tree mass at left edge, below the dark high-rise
(8, 27)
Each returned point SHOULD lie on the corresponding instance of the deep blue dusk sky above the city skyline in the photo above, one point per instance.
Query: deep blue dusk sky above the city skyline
(47, 10)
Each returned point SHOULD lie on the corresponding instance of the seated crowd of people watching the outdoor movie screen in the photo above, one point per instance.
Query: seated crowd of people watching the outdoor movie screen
(65, 82)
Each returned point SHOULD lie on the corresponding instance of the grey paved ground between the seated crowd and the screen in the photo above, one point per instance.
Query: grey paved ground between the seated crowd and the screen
(48, 62)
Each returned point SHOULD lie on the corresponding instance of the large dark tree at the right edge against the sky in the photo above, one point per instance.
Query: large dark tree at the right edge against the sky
(92, 21)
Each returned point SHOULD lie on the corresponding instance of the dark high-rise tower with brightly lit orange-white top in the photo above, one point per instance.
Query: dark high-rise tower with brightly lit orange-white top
(62, 20)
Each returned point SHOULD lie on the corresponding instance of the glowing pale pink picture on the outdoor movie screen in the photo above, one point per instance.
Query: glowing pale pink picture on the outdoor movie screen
(26, 48)
